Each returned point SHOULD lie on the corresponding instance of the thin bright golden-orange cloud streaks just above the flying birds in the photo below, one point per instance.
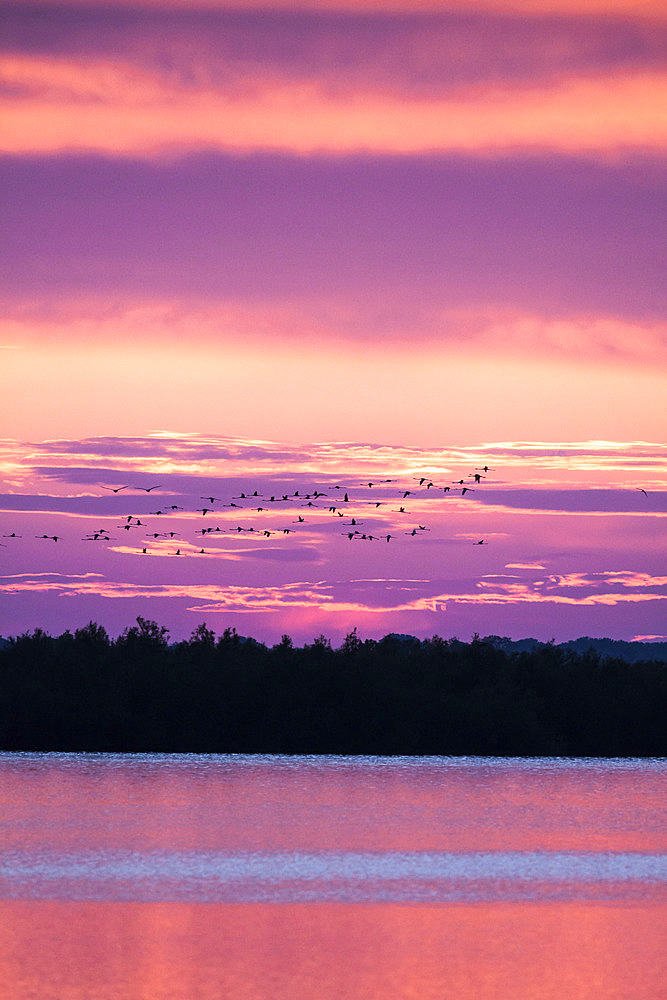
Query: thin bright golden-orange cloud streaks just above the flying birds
(515, 465)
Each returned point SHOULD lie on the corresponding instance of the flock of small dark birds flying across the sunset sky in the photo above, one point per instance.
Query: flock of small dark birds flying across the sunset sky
(337, 500)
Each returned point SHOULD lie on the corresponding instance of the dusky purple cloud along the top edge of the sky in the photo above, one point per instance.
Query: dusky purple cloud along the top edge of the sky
(412, 54)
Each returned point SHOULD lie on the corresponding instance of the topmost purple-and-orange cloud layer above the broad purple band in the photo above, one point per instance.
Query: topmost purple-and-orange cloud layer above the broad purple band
(140, 81)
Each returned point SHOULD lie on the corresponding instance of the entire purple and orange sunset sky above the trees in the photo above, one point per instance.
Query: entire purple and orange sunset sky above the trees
(307, 246)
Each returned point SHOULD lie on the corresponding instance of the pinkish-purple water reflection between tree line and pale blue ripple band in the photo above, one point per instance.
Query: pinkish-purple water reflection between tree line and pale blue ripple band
(274, 804)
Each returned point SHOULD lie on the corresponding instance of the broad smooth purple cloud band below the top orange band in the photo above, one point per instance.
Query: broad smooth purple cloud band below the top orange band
(404, 236)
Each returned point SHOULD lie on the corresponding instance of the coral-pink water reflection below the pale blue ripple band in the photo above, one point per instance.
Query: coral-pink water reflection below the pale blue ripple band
(175, 951)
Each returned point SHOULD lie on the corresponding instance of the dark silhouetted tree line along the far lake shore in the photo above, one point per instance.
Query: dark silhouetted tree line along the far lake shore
(227, 694)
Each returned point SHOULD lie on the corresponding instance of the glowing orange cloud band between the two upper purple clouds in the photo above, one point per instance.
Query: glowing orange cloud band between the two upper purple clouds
(116, 109)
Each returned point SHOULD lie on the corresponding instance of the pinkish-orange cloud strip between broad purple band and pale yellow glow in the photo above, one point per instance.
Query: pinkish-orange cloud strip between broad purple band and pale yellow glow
(609, 339)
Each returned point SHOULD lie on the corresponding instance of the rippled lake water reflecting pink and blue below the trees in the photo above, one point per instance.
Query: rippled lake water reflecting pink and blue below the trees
(188, 877)
